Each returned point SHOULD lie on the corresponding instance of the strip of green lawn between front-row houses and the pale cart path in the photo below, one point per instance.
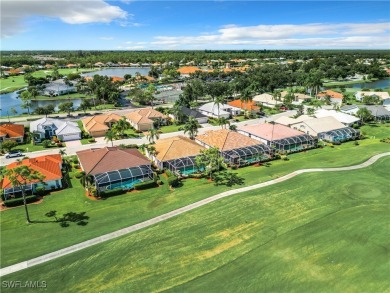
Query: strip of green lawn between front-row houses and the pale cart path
(124, 210)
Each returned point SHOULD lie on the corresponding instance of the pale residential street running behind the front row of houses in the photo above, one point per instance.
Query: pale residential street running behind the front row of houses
(72, 150)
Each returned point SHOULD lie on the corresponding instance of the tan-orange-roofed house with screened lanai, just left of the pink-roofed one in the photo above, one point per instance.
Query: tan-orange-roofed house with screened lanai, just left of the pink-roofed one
(235, 148)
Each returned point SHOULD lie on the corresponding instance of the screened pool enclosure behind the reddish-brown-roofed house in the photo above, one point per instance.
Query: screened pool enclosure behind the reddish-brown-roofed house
(123, 178)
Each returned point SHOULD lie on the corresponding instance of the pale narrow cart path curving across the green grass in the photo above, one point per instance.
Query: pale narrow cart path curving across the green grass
(51, 256)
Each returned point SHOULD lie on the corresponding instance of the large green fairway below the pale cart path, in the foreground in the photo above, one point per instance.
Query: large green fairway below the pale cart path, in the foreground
(314, 233)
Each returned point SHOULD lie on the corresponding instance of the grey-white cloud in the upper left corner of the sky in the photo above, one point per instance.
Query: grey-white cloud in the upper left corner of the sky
(14, 13)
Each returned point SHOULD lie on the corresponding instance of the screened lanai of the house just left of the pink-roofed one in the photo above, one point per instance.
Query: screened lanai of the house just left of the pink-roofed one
(248, 154)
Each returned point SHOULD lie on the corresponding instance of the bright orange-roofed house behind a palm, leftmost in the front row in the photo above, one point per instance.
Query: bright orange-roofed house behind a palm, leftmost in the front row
(50, 166)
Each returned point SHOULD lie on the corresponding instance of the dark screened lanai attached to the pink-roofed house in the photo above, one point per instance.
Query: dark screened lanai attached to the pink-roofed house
(294, 143)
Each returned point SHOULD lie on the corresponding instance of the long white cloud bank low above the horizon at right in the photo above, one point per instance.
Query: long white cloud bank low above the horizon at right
(314, 35)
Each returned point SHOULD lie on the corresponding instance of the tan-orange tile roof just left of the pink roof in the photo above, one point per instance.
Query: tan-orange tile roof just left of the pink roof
(225, 139)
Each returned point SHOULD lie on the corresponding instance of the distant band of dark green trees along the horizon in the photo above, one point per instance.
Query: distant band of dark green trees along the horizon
(88, 58)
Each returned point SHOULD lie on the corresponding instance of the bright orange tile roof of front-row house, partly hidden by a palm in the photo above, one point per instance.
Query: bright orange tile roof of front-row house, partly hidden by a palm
(49, 166)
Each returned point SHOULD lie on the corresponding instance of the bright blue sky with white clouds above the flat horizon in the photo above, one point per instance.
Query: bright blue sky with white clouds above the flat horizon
(193, 25)
